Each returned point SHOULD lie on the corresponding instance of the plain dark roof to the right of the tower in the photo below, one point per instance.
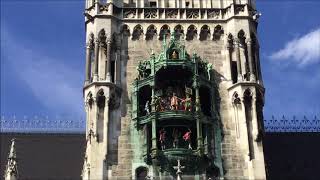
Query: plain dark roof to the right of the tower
(292, 156)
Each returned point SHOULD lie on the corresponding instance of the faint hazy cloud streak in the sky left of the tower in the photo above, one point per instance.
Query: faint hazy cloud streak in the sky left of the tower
(54, 84)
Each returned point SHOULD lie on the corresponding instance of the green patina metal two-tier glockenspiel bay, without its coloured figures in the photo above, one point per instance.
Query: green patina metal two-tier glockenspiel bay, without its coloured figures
(201, 117)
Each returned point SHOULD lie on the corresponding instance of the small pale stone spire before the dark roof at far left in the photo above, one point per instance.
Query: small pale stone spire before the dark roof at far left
(11, 172)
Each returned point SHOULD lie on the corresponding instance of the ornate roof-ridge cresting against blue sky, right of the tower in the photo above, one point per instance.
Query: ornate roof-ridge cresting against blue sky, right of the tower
(292, 124)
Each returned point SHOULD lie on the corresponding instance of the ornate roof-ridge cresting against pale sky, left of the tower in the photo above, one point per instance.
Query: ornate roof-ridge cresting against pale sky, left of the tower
(42, 124)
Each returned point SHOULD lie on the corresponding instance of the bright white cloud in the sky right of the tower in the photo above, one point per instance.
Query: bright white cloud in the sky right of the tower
(303, 51)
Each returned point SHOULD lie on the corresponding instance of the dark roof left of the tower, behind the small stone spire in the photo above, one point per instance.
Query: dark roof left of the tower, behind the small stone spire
(45, 156)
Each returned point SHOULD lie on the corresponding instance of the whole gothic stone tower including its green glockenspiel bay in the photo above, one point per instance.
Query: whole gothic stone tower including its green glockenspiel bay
(173, 88)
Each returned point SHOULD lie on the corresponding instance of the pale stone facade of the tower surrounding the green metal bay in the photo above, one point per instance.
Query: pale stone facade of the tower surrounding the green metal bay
(121, 33)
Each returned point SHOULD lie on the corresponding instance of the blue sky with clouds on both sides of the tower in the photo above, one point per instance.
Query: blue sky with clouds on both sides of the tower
(42, 57)
